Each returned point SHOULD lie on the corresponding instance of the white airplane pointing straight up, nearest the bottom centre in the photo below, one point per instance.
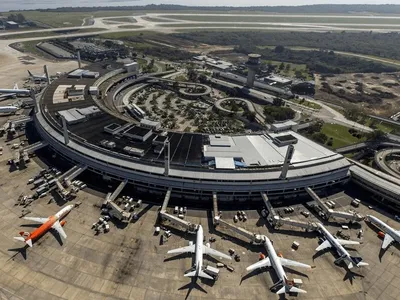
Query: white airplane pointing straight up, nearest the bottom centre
(199, 249)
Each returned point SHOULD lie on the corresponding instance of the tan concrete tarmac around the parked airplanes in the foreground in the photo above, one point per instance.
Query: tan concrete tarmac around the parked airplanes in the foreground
(130, 263)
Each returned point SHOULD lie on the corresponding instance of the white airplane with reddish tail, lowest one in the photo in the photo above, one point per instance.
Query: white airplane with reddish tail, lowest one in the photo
(277, 262)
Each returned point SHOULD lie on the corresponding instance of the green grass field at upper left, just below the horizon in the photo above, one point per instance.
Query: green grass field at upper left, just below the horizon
(68, 19)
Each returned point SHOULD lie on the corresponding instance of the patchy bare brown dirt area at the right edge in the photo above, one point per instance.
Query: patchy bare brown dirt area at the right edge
(377, 94)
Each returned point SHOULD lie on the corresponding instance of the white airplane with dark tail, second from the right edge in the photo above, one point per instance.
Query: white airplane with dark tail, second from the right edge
(331, 241)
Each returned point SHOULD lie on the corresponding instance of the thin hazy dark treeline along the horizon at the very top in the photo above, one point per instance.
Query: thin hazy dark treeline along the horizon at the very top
(304, 9)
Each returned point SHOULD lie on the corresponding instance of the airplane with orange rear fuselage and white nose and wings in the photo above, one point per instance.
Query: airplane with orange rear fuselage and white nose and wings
(52, 222)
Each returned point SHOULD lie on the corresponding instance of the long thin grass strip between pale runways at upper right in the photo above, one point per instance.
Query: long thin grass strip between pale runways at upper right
(288, 19)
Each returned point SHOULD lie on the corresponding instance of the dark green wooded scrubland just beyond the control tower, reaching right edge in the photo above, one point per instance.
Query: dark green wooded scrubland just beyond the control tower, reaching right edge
(378, 44)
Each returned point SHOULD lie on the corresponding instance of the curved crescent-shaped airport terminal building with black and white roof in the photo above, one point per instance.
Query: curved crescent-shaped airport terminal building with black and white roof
(194, 165)
